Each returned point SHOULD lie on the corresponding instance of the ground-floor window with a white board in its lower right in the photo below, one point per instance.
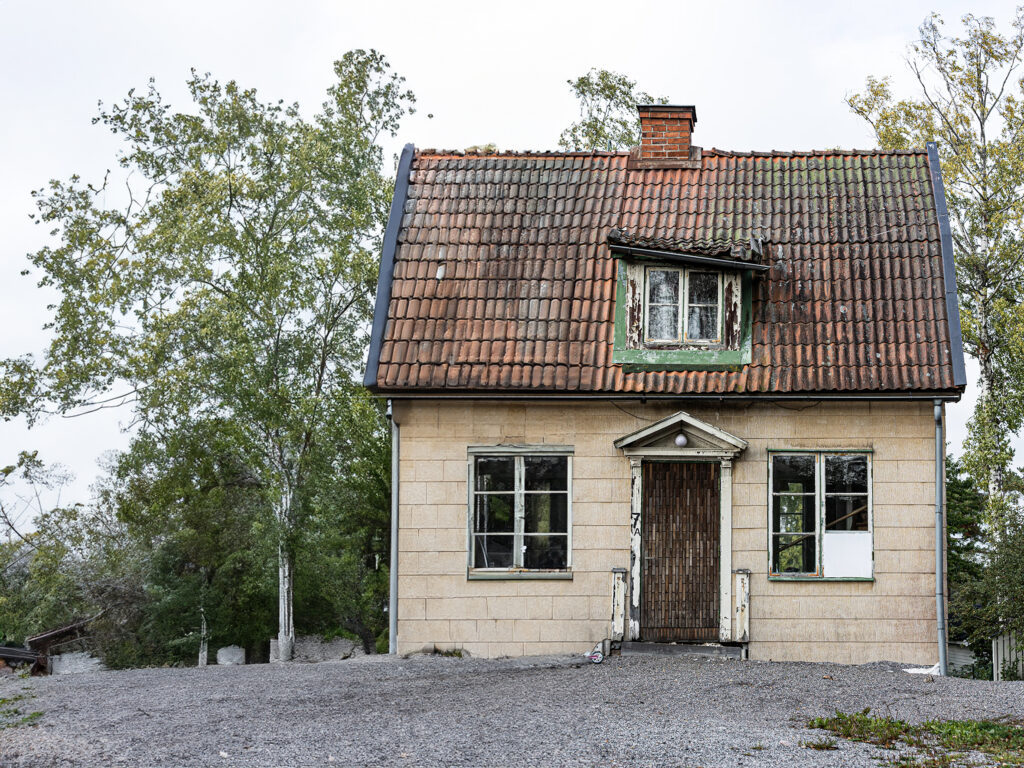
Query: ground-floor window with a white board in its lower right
(821, 515)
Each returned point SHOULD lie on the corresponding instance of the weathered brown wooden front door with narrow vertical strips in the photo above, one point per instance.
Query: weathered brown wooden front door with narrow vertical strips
(680, 552)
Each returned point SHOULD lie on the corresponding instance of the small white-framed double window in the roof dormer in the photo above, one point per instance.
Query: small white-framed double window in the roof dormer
(682, 306)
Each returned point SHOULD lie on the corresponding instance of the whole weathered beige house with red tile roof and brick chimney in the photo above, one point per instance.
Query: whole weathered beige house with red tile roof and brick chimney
(669, 396)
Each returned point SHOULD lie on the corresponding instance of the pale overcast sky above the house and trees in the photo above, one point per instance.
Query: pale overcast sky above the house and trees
(763, 76)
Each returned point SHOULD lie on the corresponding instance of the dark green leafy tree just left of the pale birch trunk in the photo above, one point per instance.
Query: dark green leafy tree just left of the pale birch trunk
(192, 501)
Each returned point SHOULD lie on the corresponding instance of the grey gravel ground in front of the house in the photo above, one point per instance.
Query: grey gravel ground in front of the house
(633, 711)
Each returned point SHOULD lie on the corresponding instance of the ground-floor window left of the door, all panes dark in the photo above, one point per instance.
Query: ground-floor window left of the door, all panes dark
(521, 516)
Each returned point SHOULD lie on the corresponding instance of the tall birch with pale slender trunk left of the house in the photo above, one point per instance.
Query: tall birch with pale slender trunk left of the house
(236, 282)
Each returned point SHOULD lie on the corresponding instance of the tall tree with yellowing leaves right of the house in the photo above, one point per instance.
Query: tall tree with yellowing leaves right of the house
(971, 103)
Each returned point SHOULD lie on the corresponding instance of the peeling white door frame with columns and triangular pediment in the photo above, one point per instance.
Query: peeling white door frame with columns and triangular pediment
(705, 443)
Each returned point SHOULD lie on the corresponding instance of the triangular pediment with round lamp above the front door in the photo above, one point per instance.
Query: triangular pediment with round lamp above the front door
(703, 440)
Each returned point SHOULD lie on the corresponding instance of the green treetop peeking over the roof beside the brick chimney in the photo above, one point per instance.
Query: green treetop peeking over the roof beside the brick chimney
(609, 113)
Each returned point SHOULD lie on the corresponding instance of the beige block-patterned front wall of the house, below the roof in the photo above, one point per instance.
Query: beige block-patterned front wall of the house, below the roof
(890, 619)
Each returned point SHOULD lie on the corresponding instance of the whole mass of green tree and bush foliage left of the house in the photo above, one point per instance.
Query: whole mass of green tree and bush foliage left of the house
(226, 297)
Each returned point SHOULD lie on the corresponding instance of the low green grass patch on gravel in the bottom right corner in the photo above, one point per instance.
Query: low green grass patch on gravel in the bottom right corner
(940, 743)
